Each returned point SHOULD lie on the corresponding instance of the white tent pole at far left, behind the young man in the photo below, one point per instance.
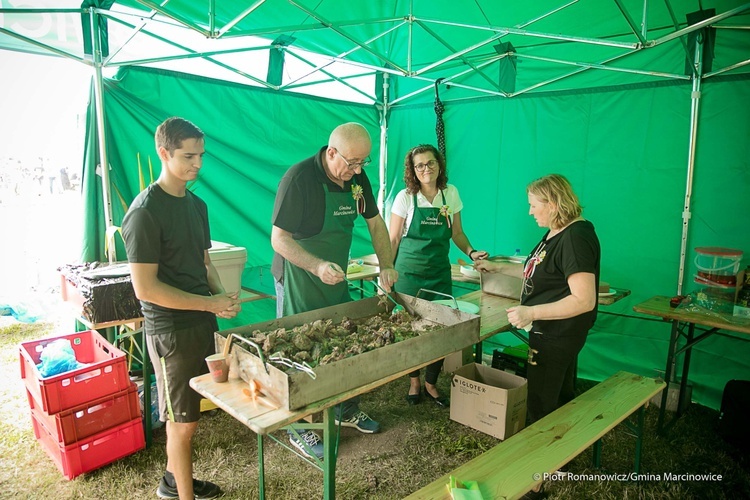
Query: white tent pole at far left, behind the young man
(99, 100)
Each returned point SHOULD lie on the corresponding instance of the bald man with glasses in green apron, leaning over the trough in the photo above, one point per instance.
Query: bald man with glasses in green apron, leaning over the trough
(316, 205)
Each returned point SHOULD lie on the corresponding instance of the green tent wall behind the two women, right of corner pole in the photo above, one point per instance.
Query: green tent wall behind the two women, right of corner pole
(625, 150)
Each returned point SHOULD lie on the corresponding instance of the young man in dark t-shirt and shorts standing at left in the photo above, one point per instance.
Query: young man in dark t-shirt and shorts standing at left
(167, 239)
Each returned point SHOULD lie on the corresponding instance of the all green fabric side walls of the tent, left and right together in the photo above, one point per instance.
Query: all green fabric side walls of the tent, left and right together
(624, 149)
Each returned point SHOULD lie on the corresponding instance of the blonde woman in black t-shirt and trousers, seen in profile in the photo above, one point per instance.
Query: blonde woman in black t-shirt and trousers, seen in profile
(559, 296)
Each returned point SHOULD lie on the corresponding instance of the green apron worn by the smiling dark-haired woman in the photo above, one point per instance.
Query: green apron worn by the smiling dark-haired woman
(422, 259)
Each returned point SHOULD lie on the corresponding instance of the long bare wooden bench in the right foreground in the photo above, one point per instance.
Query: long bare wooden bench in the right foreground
(519, 463)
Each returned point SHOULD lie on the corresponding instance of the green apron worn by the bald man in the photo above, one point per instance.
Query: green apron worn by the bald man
(303, 291)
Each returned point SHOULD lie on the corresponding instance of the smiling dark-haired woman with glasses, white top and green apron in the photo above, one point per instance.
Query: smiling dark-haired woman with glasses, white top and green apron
(425, 217)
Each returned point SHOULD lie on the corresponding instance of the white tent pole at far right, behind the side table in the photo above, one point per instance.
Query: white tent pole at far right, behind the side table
(695, 98)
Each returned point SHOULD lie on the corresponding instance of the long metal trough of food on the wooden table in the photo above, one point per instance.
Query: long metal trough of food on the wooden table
(295, 389)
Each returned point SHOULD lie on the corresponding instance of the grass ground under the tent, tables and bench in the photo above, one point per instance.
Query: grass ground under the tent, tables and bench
(417, 444)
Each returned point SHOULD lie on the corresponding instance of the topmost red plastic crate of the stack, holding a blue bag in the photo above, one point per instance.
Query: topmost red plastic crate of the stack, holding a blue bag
(105, 373)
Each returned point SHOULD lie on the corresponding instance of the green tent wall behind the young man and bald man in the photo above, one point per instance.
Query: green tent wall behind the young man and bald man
(252, 137)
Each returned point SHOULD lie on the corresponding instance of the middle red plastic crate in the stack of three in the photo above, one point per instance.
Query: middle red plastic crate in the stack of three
(70, 426)
